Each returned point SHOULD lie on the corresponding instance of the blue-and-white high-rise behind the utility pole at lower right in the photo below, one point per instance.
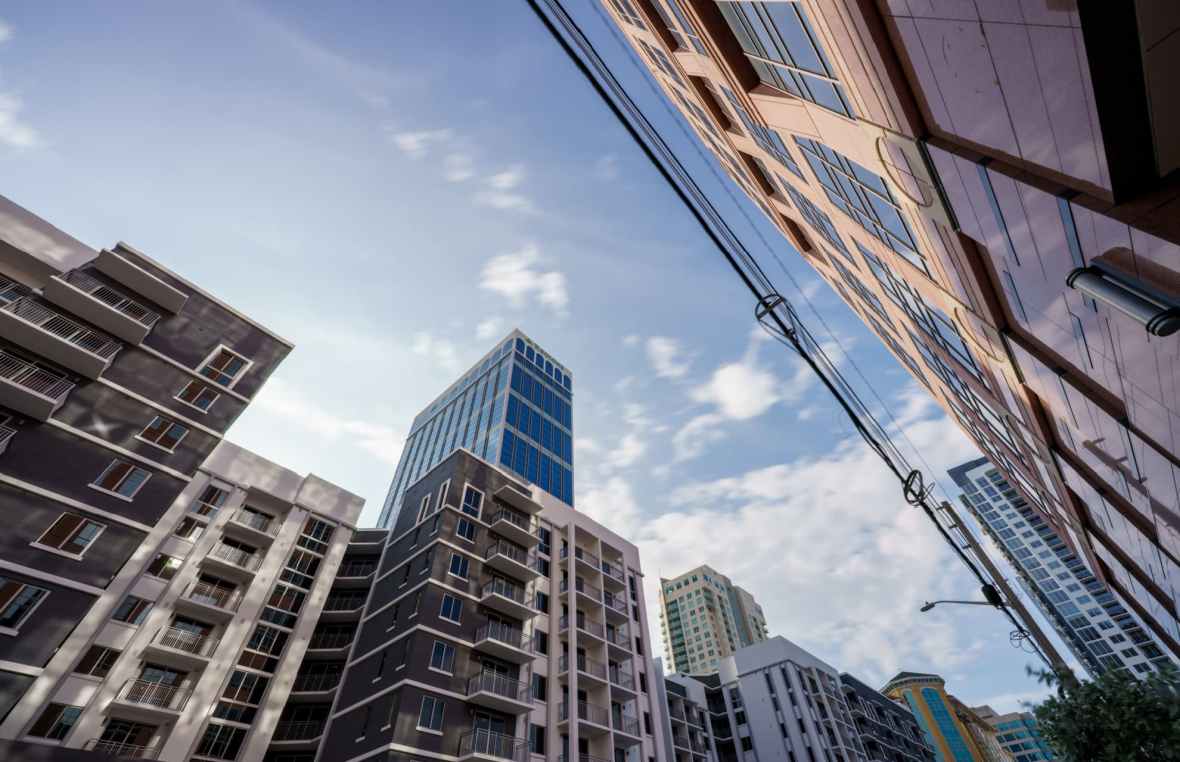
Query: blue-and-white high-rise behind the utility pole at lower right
(1100, 633)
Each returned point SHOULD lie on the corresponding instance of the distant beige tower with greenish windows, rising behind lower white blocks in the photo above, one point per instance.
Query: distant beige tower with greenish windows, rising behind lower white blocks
(705, 618)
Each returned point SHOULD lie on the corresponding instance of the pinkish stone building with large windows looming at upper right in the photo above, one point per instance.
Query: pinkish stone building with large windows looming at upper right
(991, 187)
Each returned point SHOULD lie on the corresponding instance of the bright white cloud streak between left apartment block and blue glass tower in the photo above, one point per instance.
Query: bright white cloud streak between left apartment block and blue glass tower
(283, 400)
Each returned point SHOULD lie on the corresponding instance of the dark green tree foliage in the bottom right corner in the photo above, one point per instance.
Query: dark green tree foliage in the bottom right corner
(1113, 719)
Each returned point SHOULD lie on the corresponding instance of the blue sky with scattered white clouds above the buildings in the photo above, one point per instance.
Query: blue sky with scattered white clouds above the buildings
(396, 188)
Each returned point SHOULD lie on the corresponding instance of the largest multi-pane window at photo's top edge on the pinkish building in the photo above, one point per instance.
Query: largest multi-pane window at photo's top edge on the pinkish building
(784, 50)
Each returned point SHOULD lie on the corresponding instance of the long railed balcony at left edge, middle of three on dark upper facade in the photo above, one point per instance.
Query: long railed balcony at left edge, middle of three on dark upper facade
(47, 332)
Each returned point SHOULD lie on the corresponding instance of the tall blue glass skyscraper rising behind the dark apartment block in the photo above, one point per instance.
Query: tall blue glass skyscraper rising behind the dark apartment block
(514, 409)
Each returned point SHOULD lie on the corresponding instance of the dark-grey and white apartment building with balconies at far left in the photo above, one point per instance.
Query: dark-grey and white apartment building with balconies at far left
(156, 581)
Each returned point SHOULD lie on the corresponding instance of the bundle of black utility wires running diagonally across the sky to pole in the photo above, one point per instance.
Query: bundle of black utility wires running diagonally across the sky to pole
(775, 313)
